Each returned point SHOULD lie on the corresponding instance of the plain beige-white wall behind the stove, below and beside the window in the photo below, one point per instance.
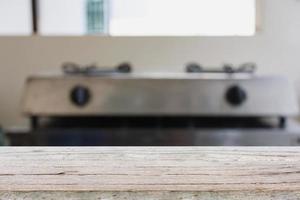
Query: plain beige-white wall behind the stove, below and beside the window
(276, 50)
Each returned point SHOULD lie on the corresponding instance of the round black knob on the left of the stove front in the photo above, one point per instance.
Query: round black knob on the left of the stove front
(80, 96)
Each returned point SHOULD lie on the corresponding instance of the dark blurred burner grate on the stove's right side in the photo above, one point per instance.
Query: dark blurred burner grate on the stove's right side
(246, 68)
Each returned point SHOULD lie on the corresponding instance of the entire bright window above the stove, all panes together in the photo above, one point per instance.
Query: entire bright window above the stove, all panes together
(130, 17)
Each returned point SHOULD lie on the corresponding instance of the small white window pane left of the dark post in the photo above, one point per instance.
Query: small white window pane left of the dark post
(15, 17)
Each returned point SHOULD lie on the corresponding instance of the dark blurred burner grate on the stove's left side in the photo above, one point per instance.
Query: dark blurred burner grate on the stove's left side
(93, 70)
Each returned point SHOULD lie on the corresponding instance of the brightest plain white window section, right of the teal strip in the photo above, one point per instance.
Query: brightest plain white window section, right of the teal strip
(182, 17)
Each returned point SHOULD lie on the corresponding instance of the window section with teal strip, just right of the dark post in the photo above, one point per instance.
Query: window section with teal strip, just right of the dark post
(73, 17)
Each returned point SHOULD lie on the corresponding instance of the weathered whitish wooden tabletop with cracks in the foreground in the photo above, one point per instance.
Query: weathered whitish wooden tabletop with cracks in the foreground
(150, 173)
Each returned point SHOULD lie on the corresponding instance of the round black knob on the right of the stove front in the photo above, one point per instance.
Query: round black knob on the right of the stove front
(236, 95)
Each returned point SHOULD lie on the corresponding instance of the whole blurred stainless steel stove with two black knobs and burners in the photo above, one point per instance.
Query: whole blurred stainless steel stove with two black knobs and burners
(226, 106)
